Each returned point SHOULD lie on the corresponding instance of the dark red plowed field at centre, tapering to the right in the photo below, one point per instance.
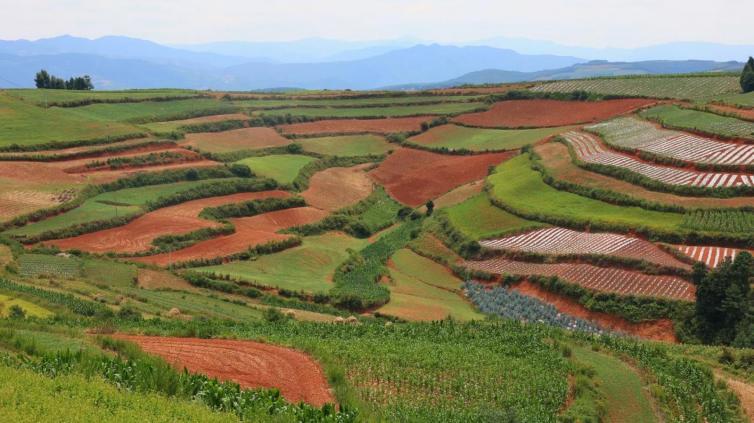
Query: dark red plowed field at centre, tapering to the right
(414, 177)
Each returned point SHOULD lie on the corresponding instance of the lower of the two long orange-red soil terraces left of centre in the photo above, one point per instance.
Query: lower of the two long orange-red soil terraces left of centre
(250, 231)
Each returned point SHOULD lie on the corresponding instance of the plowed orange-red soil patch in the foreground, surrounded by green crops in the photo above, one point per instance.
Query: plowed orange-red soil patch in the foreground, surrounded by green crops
(250, 364)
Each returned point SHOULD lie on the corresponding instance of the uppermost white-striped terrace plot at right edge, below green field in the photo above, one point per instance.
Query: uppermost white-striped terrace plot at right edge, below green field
(637, 134)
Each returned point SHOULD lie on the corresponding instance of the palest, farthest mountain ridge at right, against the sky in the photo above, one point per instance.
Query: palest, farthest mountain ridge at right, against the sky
(667, 51)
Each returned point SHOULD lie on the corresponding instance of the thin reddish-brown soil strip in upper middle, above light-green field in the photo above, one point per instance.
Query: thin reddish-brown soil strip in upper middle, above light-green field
(356, 126)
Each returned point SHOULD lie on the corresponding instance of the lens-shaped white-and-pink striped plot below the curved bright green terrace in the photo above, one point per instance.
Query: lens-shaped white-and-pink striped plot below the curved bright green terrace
(563, 241)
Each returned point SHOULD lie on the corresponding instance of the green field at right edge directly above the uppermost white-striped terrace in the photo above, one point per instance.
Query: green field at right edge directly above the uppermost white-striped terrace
(676, 117)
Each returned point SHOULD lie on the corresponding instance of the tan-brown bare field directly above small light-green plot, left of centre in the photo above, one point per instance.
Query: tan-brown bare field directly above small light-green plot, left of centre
(237, 139)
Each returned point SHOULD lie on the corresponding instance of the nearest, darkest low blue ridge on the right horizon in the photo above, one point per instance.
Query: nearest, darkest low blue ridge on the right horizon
(595, 68)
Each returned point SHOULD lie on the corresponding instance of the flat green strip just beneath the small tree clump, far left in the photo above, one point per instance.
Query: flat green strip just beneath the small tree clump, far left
(42, 97)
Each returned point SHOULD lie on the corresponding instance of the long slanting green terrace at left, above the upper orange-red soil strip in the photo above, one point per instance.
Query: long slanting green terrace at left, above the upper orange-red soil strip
(106, 206)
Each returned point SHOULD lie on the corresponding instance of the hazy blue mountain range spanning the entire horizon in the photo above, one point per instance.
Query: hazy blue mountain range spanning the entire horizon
(120, 62)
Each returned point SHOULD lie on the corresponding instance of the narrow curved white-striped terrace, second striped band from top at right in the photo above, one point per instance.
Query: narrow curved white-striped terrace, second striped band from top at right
(590, 150)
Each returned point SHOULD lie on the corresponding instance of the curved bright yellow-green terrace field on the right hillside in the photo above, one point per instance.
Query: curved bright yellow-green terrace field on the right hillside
(521, 188)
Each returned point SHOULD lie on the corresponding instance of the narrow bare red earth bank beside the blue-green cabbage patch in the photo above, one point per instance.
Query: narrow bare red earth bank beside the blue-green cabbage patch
(658, 330)
